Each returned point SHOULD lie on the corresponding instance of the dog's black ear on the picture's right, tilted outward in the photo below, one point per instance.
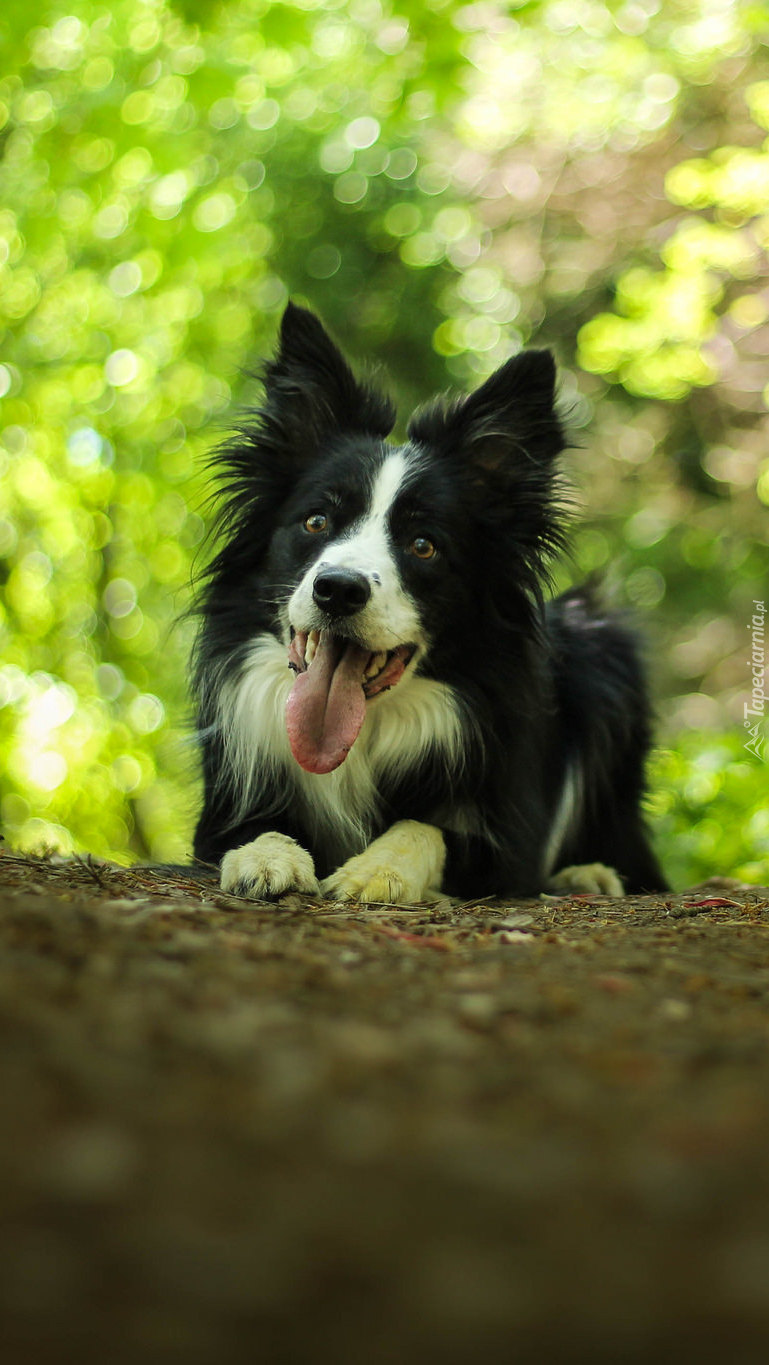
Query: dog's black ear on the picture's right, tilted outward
(509, 421)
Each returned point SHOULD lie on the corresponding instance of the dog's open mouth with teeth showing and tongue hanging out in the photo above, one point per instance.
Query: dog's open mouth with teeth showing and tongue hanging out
(327, 705)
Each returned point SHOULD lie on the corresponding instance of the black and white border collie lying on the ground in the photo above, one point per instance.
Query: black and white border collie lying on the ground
(387, 704)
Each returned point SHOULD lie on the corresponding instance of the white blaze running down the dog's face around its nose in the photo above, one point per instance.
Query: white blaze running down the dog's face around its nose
(391, 616)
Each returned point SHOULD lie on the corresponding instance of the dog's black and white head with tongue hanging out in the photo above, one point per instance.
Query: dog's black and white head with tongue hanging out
(378, 556)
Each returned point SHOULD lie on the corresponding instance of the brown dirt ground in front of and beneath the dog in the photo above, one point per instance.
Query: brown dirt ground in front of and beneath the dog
(522, 1132)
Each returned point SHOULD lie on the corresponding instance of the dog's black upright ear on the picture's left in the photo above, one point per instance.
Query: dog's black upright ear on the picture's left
(312, 392)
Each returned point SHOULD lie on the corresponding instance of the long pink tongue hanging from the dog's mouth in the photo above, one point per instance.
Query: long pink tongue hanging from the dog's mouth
(327, 705)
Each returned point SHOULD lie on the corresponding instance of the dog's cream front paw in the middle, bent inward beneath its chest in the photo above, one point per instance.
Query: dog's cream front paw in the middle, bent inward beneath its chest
(401, 867)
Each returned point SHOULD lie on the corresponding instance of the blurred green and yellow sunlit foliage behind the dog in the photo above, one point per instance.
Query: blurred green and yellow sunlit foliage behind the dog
(443, 184)
